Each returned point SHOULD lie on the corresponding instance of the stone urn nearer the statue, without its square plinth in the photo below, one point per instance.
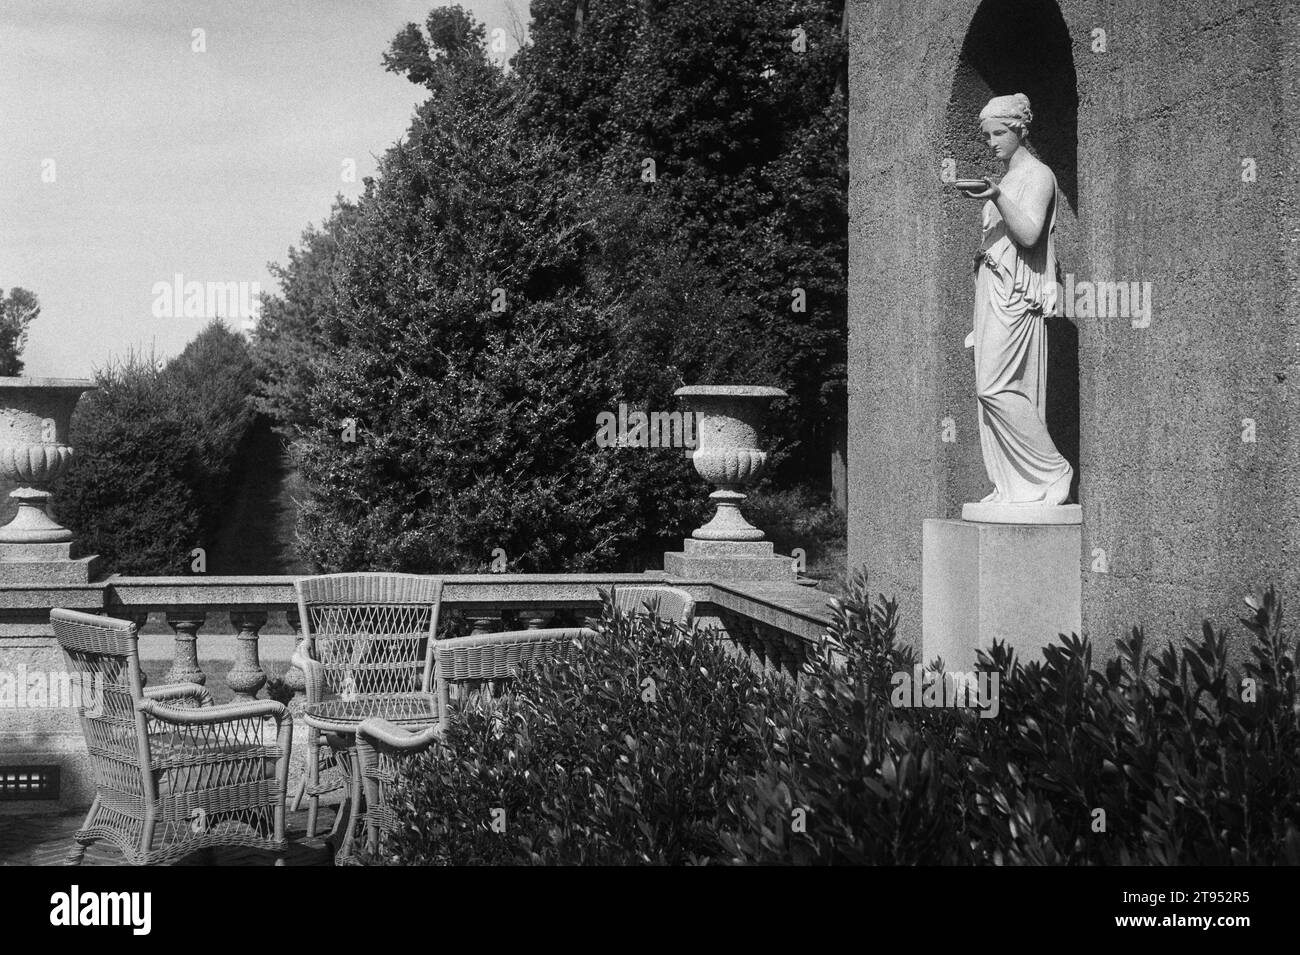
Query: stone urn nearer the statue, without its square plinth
(730, 420)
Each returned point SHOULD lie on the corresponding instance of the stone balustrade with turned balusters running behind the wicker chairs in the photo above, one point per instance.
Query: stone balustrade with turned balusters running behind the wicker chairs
(772, 623)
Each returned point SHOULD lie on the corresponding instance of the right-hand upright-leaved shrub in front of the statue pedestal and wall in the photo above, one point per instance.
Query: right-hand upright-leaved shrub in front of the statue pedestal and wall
(1155, 759)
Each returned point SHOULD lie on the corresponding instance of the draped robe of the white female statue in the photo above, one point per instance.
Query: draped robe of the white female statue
(1015, 289)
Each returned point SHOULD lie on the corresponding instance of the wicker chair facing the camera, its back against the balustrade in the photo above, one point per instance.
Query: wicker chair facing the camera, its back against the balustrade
(367, 639)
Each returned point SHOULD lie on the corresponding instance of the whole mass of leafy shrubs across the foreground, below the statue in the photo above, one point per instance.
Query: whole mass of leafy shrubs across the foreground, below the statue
(1171, 758)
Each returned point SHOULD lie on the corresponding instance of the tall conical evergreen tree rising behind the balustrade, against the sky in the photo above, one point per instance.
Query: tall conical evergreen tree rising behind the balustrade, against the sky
(456, 413)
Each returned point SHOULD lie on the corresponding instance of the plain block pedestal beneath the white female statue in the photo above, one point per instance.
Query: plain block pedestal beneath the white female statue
(1013, 583)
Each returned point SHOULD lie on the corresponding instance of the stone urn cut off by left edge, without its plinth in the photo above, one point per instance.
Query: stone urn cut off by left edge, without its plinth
(34, 419)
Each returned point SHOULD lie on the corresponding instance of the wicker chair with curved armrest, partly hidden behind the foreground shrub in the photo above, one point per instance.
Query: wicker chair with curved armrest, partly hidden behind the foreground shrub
(473, 663)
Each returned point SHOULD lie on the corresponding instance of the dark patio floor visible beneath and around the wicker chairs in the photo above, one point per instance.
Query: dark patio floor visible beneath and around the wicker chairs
(45, 840)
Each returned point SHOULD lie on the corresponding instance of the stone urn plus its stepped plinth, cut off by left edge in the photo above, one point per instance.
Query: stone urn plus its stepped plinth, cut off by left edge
(34, 419)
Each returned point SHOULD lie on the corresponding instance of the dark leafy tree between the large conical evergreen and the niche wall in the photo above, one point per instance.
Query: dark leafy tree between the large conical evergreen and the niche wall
(742, 108)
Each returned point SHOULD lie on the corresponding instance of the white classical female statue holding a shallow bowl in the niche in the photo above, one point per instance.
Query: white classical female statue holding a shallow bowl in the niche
(1016, 289)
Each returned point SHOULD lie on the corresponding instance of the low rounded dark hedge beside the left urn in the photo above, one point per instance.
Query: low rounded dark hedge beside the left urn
(158, 449)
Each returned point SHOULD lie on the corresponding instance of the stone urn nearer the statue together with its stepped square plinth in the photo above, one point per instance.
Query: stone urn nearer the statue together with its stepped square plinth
(729, 457)
